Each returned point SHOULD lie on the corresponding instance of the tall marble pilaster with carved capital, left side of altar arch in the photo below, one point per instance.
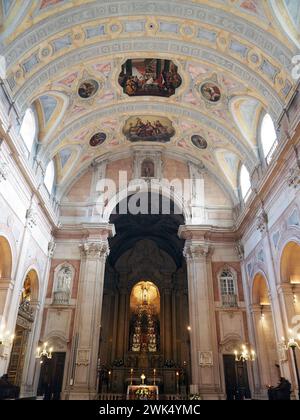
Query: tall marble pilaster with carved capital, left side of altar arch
(94, 251)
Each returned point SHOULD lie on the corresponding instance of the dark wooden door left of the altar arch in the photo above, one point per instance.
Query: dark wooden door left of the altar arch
(51, 376)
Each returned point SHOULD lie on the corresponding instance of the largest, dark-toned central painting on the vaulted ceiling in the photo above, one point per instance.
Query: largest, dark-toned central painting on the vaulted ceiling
(149, 77)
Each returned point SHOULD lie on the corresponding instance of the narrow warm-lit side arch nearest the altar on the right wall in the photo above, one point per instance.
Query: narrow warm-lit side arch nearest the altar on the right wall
(265, 338)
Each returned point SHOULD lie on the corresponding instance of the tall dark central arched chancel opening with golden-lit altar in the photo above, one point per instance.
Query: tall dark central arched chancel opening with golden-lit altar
(145, 304)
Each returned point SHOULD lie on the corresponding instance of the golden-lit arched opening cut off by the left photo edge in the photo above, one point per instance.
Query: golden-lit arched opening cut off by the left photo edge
(5, 273)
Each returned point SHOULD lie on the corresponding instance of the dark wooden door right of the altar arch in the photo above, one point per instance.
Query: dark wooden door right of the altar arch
(236, 378)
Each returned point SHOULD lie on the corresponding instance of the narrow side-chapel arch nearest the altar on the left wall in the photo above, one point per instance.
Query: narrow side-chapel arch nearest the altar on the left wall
(24, 327)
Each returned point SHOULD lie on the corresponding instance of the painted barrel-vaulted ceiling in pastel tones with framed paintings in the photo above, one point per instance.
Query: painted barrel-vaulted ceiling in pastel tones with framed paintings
(198, 74)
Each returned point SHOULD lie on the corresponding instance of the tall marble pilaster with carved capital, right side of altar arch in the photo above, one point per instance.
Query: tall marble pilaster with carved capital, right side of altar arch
(203, 339)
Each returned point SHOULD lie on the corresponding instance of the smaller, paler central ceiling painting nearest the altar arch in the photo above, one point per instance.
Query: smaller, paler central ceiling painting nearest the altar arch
(149, 128)
